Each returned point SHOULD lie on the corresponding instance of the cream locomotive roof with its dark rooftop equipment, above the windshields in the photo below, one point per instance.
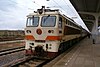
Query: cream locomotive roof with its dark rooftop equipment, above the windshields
(51, 12)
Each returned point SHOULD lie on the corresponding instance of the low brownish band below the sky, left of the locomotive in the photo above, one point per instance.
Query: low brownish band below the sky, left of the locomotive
(11, 34)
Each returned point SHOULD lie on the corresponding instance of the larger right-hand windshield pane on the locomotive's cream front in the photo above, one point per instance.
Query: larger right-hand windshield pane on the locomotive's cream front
(48, 21)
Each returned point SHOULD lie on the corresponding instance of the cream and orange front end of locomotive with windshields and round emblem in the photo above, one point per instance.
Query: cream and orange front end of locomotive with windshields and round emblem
(42, 33)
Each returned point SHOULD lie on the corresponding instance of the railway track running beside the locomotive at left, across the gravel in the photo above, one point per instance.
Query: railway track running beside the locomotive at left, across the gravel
(11, 50)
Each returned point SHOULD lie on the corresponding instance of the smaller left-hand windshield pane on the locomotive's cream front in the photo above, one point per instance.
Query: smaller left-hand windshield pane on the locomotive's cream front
(32, 21)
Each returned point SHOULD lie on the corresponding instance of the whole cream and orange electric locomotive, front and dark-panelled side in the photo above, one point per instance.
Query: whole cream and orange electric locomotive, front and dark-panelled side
(49, 32)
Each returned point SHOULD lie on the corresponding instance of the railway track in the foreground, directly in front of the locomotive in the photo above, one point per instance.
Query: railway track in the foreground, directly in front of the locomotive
(27, 61)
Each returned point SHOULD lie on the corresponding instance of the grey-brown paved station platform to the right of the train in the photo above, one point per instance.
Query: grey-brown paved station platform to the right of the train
(85, 54)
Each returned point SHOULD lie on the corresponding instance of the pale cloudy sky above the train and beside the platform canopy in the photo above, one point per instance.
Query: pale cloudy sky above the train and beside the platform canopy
(13, 12)
